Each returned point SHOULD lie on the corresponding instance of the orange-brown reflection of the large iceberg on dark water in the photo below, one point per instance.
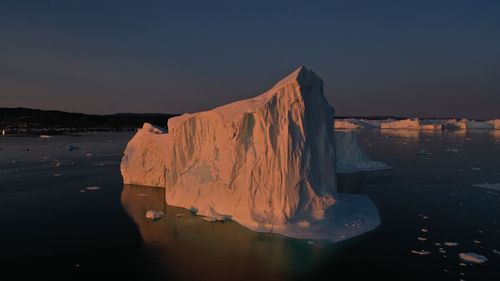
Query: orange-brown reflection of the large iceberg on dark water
(195, 248)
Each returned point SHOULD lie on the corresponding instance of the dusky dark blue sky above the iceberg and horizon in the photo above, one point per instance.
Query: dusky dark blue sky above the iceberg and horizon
(418, 58)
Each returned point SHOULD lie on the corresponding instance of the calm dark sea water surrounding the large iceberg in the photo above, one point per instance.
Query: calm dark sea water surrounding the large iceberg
(51, 229)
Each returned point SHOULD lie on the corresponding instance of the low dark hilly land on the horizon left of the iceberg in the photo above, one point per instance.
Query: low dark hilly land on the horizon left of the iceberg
(35, 121)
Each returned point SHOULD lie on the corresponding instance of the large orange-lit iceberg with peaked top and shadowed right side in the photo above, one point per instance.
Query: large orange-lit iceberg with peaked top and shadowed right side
(268, 163)
